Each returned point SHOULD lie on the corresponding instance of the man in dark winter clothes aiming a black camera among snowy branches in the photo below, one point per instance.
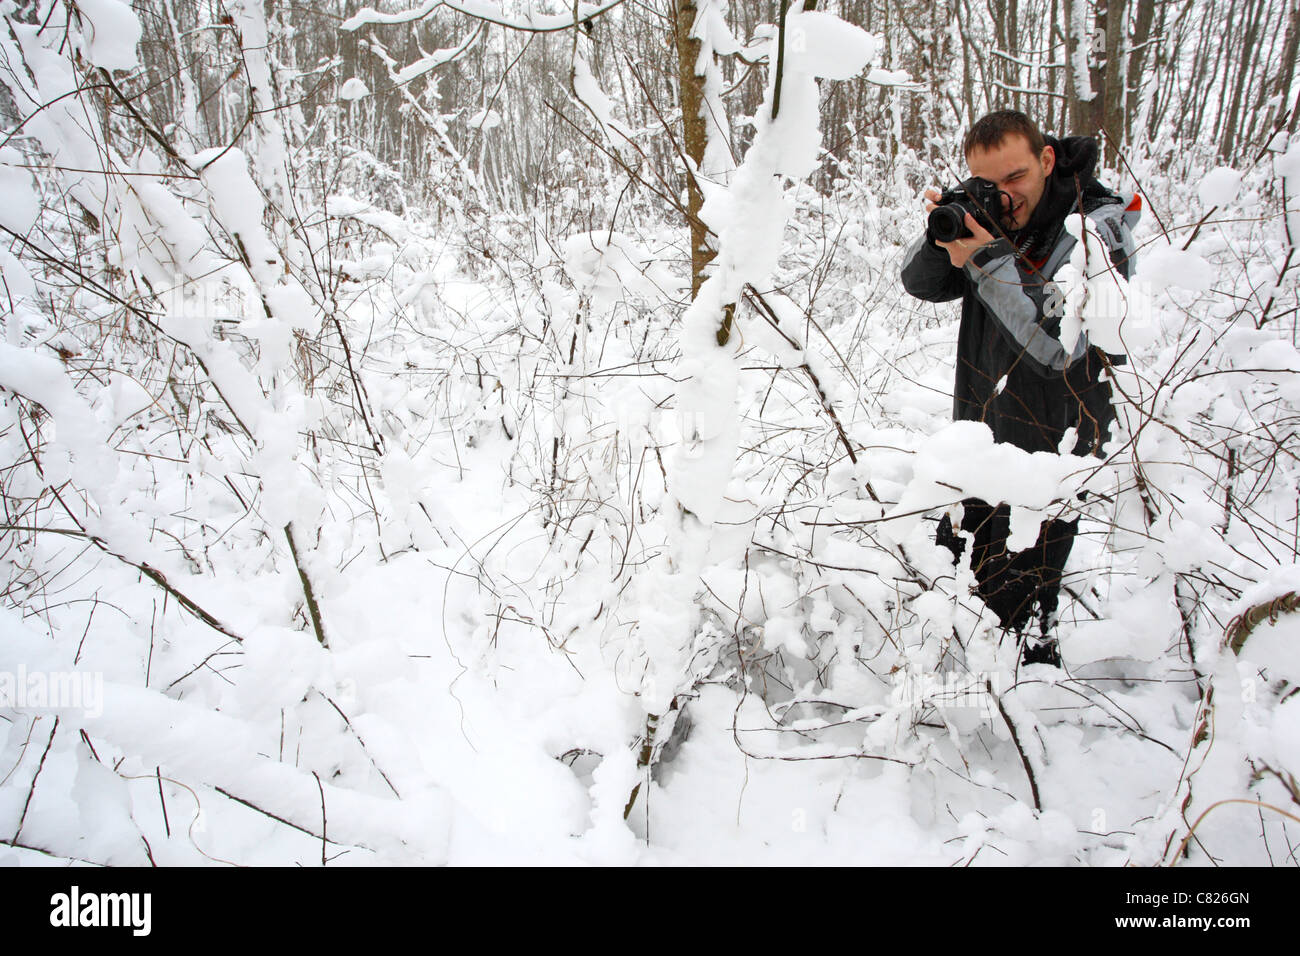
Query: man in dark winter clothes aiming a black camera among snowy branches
(1013, 373)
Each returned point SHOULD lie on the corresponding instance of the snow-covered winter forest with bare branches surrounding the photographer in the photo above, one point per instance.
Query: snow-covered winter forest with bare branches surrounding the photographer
(488, 431)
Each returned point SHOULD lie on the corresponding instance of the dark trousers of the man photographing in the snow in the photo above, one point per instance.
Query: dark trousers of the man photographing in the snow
(1017, 586)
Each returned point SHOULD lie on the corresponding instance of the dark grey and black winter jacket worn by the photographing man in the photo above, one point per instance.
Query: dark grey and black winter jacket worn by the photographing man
(1013, 374)
